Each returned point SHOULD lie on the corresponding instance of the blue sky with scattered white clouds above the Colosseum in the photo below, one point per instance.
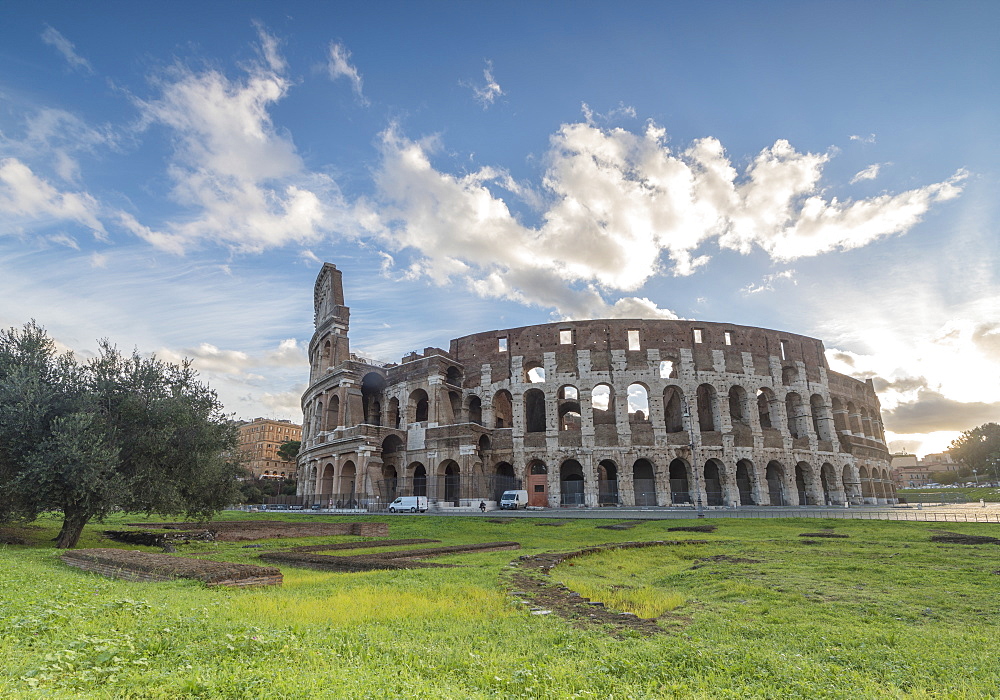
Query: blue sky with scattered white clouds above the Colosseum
(173, 175)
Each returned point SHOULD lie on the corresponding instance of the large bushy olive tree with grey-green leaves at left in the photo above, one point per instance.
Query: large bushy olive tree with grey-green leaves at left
(117, 432)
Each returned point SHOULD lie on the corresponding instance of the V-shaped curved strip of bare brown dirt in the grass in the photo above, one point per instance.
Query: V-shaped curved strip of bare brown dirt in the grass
(531, 584)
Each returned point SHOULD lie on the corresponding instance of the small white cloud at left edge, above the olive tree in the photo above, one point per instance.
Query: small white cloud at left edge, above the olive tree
(26, 198)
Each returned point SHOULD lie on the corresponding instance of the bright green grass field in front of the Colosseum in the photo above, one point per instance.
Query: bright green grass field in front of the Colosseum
(756, 612)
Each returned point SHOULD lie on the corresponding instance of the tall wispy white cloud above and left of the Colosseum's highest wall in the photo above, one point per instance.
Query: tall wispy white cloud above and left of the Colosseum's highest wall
(240, 177)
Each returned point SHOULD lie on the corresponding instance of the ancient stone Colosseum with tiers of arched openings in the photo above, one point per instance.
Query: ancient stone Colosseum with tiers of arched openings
(650, 413)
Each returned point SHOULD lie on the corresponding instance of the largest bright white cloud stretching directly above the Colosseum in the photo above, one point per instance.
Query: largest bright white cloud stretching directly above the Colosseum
(617, 209)
